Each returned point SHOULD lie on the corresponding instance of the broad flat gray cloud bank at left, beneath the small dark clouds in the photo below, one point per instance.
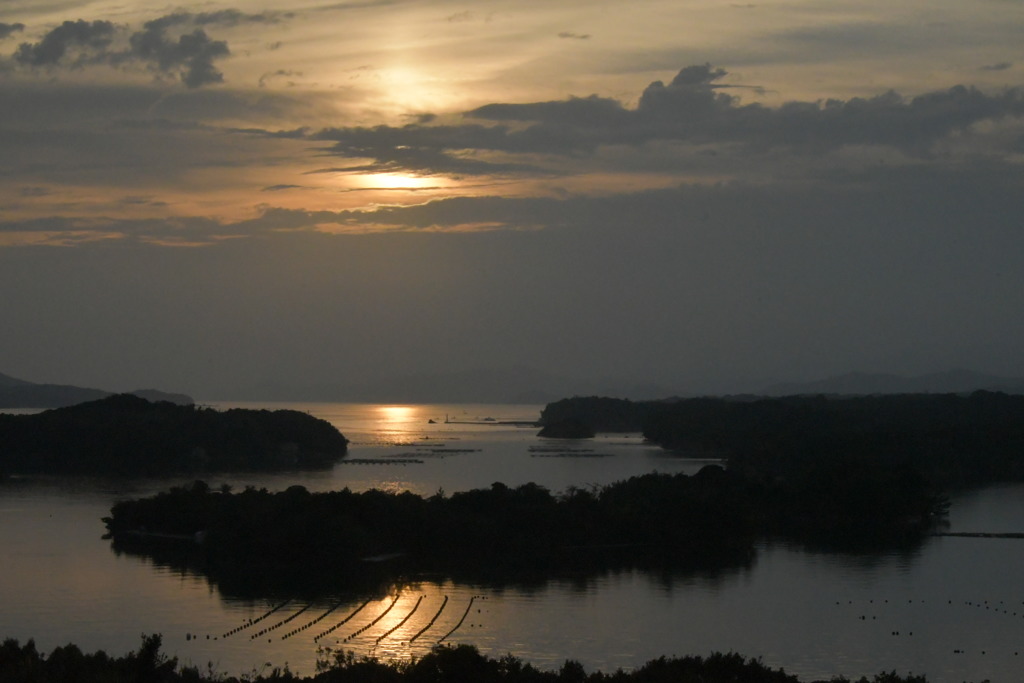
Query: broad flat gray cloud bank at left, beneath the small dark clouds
(141, 141)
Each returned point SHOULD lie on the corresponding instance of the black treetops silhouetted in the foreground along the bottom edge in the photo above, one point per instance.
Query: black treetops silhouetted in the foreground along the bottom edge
(462, 664)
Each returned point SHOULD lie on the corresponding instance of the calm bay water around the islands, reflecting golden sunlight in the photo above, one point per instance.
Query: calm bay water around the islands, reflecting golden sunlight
(954, 610)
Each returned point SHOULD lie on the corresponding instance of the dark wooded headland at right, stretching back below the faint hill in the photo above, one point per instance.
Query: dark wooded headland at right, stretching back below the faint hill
(952, 440)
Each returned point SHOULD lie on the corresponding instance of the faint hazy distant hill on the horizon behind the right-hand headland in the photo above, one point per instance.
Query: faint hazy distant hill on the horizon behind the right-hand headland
(953, 381)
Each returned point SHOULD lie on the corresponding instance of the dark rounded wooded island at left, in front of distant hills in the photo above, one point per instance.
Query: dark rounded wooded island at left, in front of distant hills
(126, 435)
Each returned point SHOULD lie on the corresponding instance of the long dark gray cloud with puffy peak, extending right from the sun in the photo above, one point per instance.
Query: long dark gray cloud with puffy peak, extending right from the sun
(695, 109)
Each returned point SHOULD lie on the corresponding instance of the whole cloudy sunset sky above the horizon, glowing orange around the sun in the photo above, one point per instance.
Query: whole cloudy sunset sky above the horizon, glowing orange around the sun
(697, 197)
